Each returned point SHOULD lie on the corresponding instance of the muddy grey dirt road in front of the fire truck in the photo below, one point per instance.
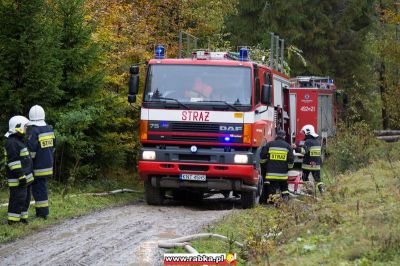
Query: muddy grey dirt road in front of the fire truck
(125, 235)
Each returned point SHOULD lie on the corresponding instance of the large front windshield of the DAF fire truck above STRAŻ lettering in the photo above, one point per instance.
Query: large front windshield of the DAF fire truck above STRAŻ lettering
(194, 85)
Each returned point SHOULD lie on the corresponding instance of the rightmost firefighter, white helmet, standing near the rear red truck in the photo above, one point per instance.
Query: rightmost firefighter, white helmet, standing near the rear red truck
(312, 156)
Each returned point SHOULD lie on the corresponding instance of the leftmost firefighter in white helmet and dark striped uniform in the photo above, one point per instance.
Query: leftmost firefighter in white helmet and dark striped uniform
(19, 170)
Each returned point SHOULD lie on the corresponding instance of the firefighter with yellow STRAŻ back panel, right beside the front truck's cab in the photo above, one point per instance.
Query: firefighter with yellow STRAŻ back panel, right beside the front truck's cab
(276, 158)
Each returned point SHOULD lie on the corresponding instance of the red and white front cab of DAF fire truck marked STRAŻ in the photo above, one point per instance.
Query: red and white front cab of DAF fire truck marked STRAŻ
(203, 122)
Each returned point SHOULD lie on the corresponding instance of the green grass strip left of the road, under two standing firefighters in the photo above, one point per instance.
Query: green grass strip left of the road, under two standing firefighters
(66, 202)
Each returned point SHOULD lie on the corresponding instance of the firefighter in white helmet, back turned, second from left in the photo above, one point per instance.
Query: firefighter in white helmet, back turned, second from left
(41, 141)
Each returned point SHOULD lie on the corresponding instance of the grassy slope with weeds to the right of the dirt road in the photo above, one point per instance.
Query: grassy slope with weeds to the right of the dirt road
(356, 223)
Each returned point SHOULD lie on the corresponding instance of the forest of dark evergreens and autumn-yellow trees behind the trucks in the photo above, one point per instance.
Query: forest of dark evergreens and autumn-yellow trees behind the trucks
(73, 56)
